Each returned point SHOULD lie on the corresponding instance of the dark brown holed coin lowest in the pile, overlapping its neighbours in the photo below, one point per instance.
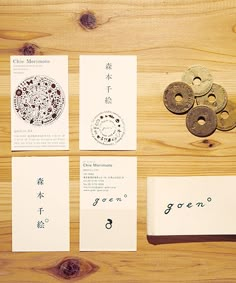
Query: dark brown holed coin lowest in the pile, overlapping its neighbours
(201, 121)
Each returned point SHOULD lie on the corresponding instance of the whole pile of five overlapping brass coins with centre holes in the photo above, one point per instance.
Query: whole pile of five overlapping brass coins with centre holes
(213, 110)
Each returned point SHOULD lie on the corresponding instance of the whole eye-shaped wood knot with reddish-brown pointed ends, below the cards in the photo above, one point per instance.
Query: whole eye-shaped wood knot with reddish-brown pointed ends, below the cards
(71, 268)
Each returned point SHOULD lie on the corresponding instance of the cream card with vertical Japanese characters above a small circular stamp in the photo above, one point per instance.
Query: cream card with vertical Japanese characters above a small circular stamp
(108, 102)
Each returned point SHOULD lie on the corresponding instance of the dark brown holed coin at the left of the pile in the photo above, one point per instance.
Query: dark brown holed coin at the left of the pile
(178, 97)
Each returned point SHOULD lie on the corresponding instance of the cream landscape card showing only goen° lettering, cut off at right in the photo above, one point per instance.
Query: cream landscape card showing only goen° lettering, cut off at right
(191, 205)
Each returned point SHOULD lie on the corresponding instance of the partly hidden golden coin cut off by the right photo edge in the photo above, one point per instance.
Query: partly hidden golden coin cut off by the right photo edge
(226, 119)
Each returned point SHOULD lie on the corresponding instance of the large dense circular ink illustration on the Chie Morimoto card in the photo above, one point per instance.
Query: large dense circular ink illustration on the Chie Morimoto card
(39, 100)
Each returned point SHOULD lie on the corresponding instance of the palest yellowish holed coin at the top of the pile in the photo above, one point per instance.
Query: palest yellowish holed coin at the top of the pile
(199, 78)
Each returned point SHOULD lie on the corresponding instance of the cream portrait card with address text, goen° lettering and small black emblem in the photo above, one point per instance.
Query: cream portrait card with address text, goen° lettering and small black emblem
(108, 203)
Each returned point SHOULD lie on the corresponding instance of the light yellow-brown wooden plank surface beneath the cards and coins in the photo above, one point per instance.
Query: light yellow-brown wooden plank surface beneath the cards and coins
(167, 36)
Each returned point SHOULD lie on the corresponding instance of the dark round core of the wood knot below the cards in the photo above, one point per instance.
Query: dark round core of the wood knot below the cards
(69, 268)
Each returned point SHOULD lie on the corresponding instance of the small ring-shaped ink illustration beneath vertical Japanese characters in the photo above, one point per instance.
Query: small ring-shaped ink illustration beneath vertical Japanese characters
(107, 128)
